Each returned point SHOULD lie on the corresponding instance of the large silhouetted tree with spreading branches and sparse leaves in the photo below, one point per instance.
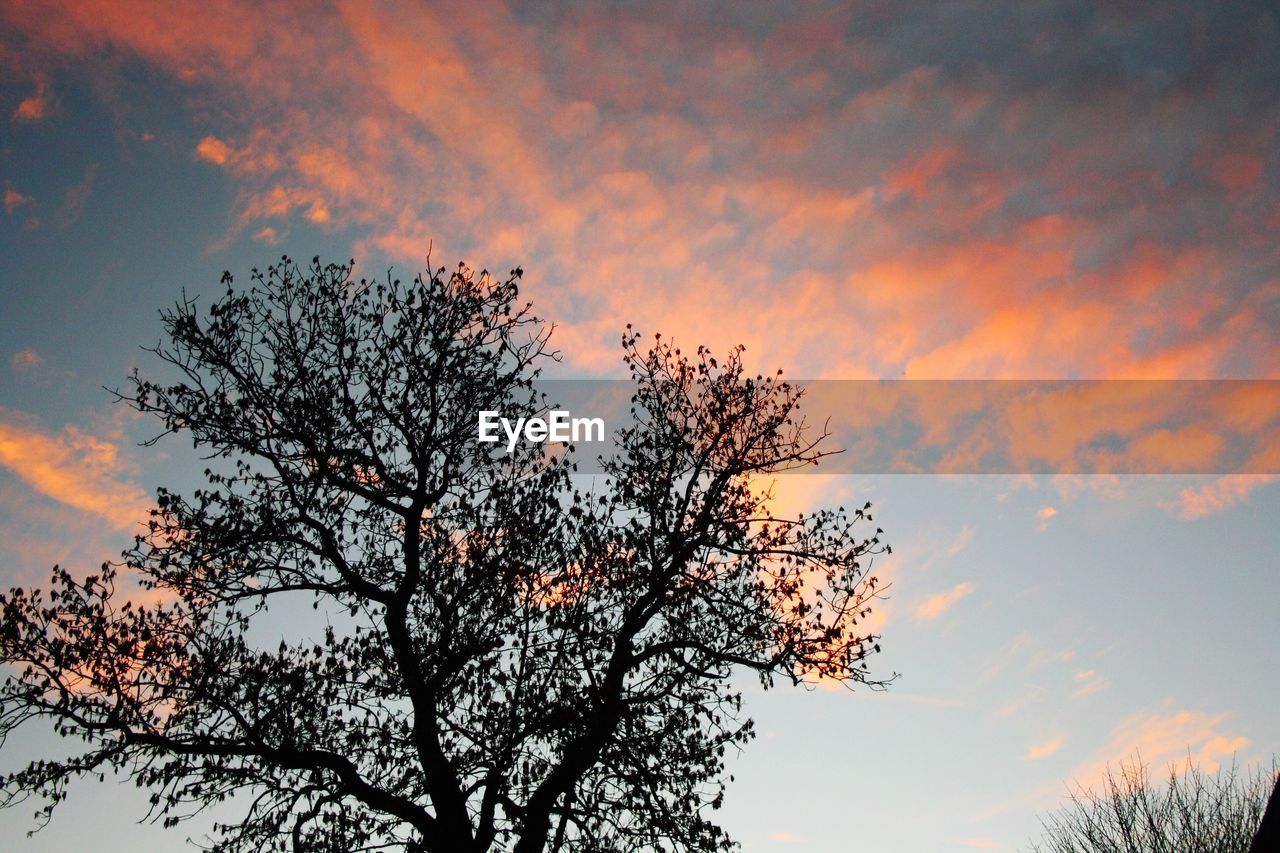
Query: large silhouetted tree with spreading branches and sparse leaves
(504, 656)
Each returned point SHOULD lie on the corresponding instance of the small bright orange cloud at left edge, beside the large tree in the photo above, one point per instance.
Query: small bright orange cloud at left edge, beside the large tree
(74, 468)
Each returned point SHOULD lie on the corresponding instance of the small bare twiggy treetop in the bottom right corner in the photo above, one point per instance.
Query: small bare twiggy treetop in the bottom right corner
(1194, 813)
